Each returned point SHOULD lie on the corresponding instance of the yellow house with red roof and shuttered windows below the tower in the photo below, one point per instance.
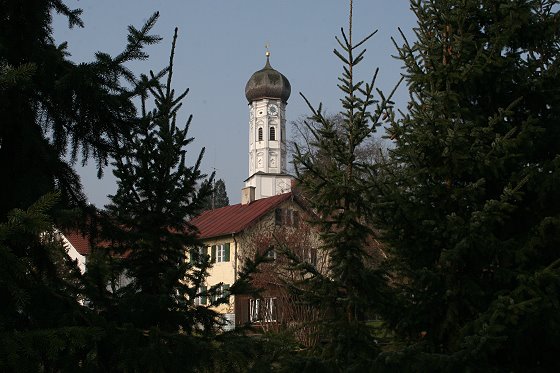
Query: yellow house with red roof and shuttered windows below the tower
(234, 234)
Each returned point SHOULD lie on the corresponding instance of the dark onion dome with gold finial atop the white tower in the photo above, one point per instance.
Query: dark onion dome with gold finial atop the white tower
(267, 83)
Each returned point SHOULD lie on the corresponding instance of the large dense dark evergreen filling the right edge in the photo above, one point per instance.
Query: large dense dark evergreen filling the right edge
(473, 209)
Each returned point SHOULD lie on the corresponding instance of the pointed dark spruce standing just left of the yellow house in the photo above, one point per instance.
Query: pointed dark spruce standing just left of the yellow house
(157, 195)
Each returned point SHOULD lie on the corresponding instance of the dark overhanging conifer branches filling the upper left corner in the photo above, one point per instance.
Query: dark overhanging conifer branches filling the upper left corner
(51, 107)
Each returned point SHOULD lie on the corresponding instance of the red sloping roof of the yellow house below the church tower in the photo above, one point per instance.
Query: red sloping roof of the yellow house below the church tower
(235, 218)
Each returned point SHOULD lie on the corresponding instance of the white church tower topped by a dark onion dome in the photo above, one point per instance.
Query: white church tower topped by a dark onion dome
(267, 92)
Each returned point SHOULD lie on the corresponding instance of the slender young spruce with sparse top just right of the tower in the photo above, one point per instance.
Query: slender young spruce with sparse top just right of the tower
(336, 189)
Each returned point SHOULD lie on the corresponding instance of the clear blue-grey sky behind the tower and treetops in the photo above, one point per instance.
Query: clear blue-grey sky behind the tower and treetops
(221, 43)
